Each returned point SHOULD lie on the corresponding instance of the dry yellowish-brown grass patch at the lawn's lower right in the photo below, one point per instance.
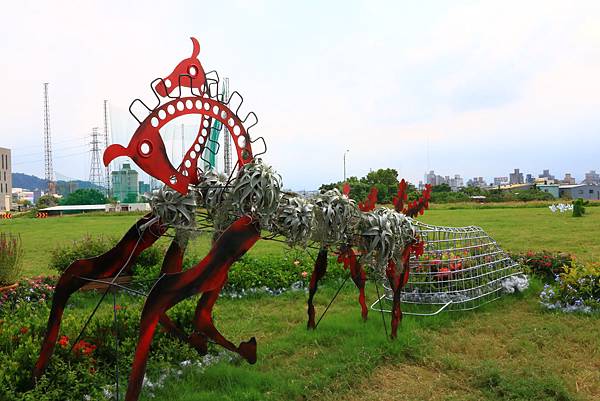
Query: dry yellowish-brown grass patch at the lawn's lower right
(516, 352)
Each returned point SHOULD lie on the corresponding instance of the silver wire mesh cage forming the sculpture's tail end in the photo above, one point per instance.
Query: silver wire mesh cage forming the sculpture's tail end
(461, 269)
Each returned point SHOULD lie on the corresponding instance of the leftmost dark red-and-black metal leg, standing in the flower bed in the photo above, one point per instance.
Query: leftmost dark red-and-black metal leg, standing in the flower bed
(121, 257)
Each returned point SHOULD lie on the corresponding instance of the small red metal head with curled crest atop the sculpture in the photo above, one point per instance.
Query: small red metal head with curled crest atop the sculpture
(189, 67)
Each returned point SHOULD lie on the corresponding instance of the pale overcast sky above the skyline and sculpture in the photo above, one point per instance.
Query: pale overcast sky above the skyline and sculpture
(461, 87)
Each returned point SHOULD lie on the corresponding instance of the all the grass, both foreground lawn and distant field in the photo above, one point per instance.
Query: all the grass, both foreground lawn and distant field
(508, 350)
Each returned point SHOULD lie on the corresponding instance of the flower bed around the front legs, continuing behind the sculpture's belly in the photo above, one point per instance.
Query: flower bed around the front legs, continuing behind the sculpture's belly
(84, 370)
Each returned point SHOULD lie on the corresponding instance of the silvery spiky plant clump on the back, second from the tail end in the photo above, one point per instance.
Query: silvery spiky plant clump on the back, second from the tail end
(335, 217)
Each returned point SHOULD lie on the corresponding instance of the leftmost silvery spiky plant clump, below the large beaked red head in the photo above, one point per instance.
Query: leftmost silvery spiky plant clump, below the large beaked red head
(174, 209)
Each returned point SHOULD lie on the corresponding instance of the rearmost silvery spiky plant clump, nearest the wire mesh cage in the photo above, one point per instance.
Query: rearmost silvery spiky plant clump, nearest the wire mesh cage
(384, 235)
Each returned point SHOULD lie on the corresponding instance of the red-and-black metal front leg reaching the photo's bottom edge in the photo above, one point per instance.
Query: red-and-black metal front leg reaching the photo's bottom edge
(208, 275)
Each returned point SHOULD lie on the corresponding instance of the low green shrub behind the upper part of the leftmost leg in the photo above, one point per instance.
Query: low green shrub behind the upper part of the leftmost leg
(89, 247)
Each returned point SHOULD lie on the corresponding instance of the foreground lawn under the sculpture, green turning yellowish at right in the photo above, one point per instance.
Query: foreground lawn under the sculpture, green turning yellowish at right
(508, 350)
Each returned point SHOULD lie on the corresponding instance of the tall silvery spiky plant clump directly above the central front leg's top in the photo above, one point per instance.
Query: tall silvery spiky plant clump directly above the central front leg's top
(256, 191)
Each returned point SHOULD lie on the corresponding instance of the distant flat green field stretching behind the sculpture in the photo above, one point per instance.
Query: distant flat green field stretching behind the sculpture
(515, 229)
